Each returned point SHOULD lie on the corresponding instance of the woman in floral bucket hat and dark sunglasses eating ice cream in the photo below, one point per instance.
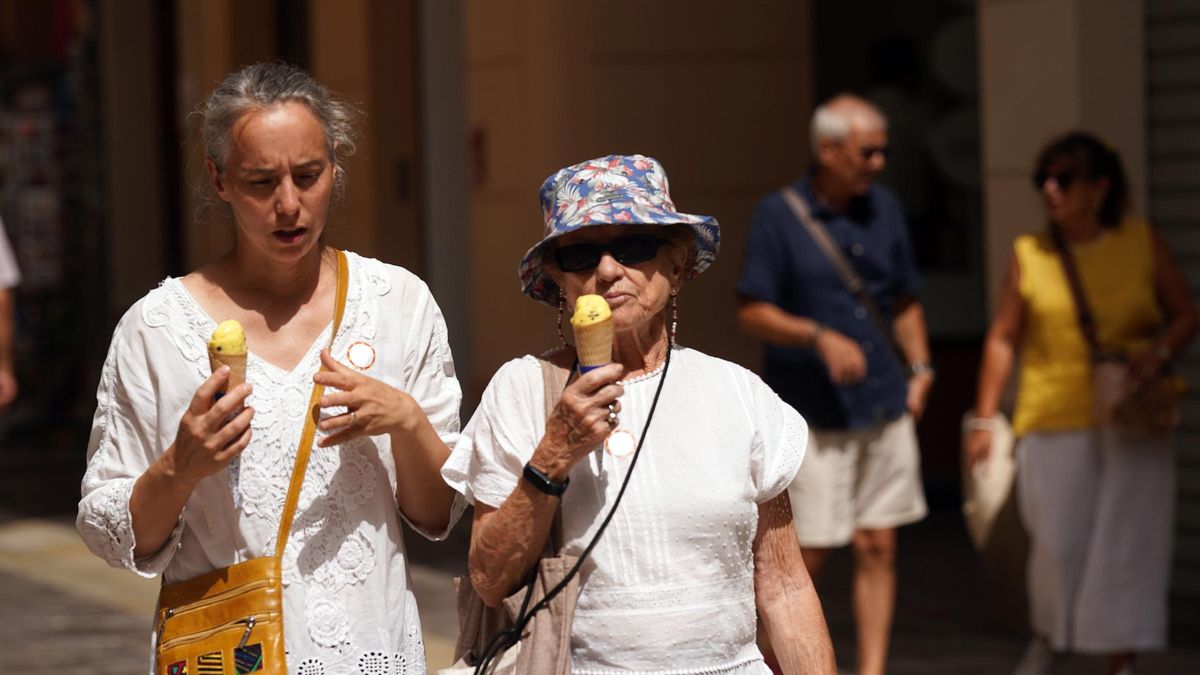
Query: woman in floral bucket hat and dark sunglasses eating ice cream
(704, 539)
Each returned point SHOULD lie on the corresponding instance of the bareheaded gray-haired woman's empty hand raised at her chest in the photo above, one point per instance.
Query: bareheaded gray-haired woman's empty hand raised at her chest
(374, 408)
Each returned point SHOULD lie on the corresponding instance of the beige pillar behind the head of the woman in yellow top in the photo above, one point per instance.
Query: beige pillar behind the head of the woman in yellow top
(1048, 67)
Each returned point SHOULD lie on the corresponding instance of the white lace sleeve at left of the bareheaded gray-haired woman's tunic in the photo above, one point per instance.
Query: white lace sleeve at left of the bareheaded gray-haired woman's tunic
(123, 445)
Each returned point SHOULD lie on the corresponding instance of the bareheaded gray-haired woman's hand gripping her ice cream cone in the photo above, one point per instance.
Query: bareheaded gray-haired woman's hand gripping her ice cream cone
(211, 434)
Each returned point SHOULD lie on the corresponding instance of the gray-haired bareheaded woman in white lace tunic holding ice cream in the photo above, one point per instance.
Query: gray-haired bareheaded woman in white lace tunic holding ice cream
(179, 486)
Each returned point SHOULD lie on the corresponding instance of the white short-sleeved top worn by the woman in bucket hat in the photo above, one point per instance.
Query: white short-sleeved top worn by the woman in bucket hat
(670, 587)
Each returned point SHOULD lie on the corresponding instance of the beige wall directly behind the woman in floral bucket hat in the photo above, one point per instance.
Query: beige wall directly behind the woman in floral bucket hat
(718, 92)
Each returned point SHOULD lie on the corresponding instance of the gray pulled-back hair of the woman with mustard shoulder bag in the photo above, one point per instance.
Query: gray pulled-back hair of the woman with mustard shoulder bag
(261, 86)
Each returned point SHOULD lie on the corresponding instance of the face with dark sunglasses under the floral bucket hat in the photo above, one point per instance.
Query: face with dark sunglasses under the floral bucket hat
(637, 291)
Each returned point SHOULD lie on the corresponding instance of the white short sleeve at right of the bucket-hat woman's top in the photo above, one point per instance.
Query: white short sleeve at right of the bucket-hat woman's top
(781, 440)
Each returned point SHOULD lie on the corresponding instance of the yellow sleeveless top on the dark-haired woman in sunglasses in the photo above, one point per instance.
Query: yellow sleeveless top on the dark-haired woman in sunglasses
(1118, 274)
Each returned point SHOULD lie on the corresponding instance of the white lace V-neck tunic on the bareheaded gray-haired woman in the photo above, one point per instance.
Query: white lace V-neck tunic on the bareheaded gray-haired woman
(347, 599)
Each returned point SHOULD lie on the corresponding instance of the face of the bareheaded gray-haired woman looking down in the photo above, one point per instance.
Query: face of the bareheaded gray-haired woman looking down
(279, 181)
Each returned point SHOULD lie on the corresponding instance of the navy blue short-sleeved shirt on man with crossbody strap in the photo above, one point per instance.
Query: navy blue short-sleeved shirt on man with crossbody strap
(787, 268)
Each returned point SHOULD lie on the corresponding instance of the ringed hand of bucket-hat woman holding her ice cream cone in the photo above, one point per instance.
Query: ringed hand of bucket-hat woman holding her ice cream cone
(580, 421)
